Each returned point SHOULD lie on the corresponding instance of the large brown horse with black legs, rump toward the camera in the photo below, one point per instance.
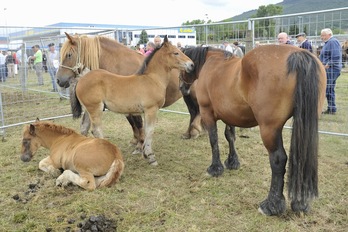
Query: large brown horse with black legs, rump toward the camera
(267, 87)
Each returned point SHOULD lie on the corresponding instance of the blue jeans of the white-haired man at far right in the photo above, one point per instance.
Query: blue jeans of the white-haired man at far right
(332, 75)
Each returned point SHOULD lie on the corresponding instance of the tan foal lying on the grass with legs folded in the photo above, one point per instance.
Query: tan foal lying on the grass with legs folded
(87, 162)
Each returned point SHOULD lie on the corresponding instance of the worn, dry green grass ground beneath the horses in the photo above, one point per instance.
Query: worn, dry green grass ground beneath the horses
(177, 195)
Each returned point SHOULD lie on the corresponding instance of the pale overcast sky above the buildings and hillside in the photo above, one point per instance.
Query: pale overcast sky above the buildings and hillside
(122, 12)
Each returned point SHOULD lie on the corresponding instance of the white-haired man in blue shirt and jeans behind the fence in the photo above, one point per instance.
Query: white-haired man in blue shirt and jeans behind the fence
(331, 57)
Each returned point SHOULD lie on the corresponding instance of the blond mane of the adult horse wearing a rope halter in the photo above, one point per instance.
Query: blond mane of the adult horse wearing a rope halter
(89, 48)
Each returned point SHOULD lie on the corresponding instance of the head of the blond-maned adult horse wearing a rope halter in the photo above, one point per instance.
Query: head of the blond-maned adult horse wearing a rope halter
(70, 64)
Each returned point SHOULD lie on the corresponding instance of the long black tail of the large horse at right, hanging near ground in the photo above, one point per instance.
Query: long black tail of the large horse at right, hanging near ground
(303, 158)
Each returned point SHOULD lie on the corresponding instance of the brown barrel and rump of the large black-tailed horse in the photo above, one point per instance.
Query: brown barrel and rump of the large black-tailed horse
(255, 89)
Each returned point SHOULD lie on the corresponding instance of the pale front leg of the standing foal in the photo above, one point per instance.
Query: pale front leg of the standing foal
(150, 120)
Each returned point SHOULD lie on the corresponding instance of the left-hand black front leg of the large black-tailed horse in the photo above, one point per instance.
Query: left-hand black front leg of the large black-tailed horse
(216, 168)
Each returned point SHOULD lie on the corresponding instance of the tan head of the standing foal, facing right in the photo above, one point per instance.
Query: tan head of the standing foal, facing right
(175, 59)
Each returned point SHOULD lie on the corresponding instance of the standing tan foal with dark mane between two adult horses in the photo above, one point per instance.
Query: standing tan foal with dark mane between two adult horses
(141, 93)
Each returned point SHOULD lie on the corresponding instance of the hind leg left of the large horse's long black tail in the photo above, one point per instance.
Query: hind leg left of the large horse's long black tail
(274, 204)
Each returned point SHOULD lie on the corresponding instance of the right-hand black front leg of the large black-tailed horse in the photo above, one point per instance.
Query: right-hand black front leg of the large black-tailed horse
(232, 161)
